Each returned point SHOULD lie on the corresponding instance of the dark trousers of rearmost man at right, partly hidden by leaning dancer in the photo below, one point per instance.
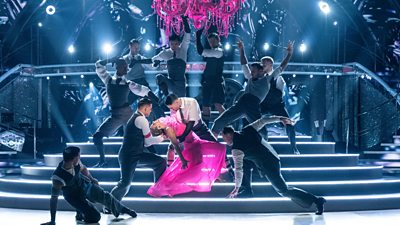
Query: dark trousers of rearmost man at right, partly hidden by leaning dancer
(279, 109)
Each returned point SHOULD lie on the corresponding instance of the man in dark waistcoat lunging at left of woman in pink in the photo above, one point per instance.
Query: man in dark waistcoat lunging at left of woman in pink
(137, 136)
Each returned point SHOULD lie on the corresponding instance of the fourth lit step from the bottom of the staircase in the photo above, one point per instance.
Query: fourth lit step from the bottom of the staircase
(306, 160)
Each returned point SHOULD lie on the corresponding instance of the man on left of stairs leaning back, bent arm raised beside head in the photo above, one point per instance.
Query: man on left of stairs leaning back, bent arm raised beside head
(118, 89)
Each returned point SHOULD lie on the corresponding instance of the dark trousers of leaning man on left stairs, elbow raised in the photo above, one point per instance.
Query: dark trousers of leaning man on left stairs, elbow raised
(119, 117)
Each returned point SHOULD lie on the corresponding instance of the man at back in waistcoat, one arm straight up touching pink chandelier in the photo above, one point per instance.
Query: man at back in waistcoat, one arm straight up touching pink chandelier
(176, 57)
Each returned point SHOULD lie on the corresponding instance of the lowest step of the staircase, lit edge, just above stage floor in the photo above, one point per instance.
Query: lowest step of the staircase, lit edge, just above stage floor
(216, 205)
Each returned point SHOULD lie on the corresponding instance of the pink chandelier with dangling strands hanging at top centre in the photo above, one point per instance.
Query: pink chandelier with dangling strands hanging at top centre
(204, 13)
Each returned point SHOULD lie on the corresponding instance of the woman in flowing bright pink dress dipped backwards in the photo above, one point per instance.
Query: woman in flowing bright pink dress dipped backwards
(202, 162)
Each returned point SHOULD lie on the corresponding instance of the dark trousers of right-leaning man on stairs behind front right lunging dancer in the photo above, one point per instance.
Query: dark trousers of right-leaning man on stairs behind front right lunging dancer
(247, 106)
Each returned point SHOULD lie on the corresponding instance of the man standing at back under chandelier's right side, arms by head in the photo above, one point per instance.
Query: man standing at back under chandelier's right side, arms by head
(212, 82)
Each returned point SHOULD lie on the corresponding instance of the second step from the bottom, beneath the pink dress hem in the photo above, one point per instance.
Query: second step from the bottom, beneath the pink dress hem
(261, 189)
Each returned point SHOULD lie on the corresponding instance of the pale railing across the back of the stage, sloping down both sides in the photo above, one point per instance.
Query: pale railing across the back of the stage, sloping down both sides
(350, 72)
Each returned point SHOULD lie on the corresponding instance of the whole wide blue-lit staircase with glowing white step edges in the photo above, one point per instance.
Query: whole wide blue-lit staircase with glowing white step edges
(340, 178)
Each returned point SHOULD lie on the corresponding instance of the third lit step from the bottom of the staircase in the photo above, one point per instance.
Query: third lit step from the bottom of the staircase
(290, 174)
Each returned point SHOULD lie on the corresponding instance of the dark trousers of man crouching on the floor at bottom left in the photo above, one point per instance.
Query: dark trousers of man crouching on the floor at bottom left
(82, 201)
